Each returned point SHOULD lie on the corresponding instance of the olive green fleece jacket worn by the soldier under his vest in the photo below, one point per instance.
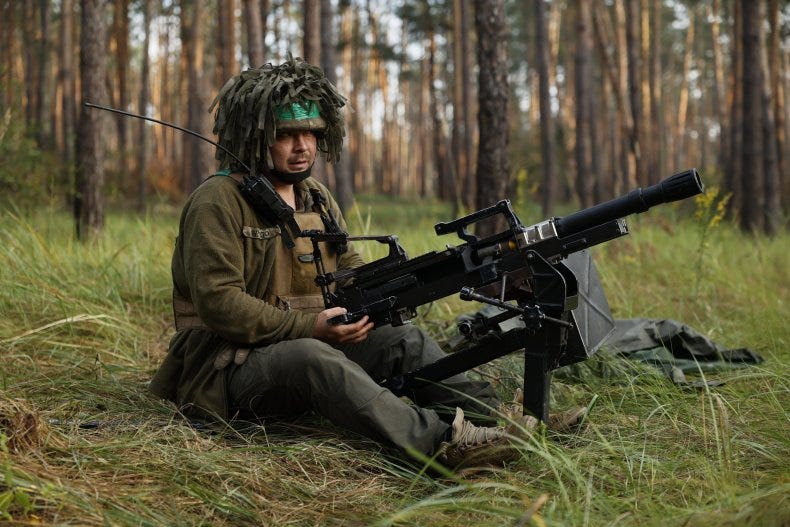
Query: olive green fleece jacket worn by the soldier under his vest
(222, 264)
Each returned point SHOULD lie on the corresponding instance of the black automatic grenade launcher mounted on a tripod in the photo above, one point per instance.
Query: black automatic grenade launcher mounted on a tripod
(531, 273)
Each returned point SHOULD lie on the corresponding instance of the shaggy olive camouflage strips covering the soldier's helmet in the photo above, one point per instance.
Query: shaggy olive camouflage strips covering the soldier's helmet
(246, 117)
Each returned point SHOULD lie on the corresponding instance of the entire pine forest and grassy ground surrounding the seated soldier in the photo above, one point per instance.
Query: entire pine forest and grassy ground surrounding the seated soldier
(452, 106)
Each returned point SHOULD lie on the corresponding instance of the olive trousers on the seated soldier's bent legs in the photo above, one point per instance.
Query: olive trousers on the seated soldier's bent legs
(295, 376)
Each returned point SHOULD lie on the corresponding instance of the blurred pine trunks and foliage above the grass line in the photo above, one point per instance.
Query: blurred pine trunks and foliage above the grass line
(469, 102)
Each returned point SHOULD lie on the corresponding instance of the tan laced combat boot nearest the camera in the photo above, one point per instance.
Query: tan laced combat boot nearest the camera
(482, 445)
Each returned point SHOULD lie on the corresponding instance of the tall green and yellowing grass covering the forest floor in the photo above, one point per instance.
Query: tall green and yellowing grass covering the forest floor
(83, 327)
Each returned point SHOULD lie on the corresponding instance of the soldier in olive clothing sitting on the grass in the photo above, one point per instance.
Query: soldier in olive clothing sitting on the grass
(252, 336)
